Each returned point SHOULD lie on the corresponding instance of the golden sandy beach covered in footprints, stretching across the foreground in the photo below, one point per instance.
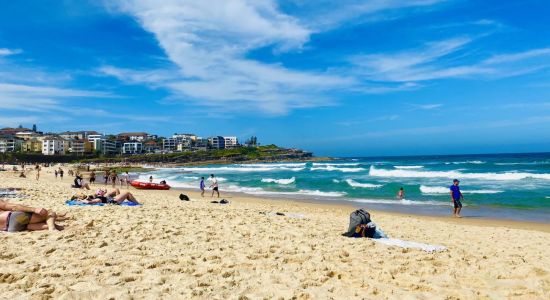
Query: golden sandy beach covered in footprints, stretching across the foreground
(168, 248)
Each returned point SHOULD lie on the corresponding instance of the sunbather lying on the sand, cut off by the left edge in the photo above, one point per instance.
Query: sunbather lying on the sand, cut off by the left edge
(16, 217)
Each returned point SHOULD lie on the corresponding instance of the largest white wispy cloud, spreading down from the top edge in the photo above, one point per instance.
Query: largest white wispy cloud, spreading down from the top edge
(208, 44)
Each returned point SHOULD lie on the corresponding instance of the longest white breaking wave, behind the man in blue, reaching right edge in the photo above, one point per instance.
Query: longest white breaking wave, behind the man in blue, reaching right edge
(455, 174)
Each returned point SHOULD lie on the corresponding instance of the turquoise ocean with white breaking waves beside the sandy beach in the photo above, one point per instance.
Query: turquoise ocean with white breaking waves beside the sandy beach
(507, 186)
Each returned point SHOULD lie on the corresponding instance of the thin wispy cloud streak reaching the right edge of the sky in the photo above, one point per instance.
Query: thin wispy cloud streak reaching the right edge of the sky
(444, 59)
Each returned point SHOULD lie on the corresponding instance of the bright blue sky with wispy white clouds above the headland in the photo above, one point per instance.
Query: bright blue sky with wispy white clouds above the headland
(340, 78)
